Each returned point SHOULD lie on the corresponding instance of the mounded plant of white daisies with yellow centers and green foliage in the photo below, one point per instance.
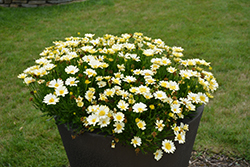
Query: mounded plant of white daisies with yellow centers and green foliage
(135, 90)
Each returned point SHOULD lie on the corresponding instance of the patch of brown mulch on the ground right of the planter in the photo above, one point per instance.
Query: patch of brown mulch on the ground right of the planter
(215, 160)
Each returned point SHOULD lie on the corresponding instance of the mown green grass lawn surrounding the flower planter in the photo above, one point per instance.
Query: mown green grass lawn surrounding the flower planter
(215, 30)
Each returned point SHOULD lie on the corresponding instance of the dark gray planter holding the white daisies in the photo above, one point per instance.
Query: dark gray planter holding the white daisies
(93, 150)
